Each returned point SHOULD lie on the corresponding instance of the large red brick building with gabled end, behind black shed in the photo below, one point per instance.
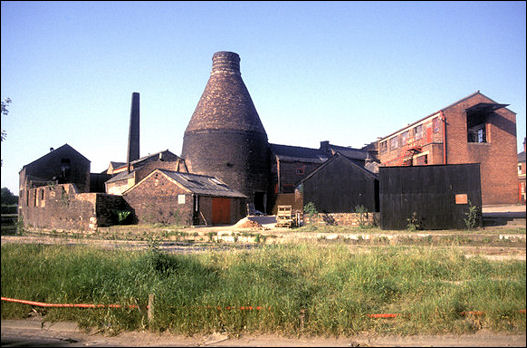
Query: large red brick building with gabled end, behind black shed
(475, 129)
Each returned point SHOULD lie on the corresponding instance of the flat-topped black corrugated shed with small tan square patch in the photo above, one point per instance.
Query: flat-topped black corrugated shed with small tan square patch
(439, 195)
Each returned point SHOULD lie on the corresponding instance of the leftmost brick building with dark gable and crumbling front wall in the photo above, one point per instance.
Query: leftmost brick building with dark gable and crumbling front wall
(56, 193)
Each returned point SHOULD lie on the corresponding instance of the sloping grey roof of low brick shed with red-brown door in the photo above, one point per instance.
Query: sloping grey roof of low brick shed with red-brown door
(202, 184)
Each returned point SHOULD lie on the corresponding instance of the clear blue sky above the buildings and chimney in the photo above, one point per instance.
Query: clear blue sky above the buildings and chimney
(346, 72)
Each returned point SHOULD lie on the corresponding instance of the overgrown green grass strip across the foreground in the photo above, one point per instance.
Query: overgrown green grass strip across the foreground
(326, 290)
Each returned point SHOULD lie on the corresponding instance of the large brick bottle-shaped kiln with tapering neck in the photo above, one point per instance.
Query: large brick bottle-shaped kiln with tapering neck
(225, 136)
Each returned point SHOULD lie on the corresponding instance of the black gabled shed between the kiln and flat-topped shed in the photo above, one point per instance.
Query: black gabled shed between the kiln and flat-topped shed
(341, 184)
